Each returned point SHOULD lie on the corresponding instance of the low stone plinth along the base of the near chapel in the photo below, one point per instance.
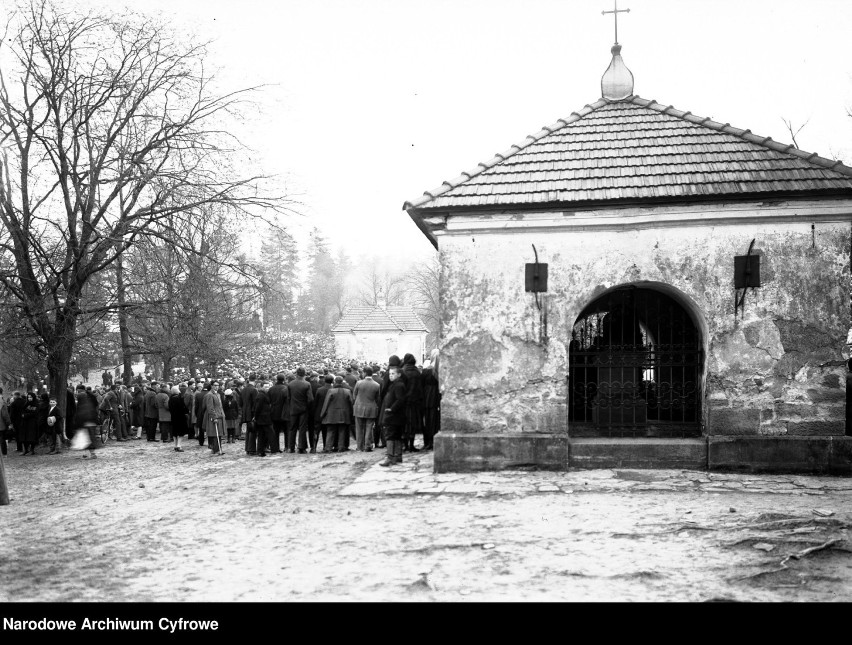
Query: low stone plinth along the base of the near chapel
(765, 454)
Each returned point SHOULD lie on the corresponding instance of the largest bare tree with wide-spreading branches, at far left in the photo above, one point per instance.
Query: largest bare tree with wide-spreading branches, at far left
(108, 126)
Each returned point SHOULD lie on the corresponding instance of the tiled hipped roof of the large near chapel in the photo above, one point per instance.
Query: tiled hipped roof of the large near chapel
(636, 150)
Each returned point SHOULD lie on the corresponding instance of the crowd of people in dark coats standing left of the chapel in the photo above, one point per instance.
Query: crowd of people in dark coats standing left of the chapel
(375, 406)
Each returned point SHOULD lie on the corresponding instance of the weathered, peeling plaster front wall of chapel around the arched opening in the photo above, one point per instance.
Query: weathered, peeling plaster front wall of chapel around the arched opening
(776, 369)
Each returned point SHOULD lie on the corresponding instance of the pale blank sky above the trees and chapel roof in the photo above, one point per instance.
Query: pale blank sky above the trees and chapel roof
(369, 103)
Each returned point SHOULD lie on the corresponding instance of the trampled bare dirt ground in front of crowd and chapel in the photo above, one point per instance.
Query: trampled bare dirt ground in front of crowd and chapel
(145, 523)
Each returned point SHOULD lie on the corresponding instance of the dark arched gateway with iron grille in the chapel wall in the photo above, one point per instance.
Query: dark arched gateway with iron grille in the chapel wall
(635, 367)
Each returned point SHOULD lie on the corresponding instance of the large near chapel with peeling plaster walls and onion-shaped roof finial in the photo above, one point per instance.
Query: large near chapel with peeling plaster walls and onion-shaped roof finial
(671, 292)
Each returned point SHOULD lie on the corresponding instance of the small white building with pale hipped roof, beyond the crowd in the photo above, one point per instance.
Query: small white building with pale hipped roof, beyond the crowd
(375, 333)
